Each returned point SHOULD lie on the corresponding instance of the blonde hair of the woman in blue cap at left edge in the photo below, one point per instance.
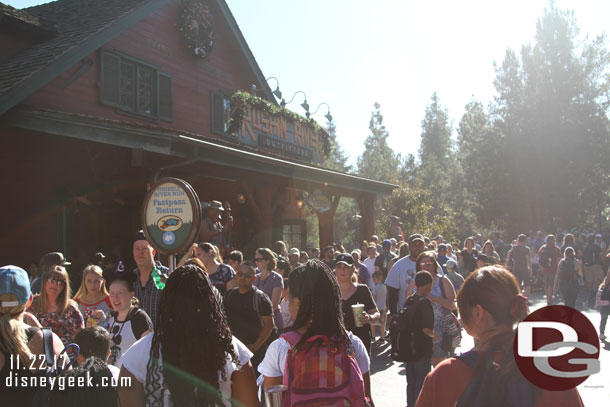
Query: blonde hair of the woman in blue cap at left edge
(14, 339)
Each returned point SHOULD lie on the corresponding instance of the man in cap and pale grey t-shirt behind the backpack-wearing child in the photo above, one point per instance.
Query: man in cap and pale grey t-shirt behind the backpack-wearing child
(402, 274)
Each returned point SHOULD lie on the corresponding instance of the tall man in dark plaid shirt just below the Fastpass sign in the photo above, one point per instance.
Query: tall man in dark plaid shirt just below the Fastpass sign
(146, 289)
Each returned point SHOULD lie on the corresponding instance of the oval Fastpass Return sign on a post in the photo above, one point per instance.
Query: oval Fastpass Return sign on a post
(171, 215)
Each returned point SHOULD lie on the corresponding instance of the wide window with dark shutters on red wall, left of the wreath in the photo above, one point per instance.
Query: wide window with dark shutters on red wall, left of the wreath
(136, 87)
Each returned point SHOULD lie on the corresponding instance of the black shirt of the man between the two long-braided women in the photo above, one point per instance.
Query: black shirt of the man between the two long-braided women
(244, 312)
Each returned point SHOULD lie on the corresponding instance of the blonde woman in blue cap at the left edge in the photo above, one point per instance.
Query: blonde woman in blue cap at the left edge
(20, 344)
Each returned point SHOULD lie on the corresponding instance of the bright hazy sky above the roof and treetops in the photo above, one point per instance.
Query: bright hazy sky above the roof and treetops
(351, 54)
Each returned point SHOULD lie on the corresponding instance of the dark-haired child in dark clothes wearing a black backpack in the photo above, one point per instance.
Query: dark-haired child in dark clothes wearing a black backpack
(423, 320)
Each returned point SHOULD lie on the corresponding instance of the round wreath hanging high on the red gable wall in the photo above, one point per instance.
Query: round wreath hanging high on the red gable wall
(196, 27)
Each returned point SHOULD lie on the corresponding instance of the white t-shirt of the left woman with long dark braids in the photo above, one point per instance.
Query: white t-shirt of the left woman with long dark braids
(136, 359)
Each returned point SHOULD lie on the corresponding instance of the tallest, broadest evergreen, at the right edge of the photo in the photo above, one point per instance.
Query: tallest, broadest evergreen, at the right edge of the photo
(552, 110)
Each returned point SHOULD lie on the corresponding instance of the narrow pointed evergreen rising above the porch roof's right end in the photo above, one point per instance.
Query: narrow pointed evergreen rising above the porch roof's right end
(378, 161)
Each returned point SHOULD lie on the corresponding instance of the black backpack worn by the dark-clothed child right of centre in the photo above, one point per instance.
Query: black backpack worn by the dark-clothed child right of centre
(402, 330)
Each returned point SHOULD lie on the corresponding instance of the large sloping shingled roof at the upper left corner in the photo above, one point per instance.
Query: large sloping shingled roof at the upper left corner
(81, 26)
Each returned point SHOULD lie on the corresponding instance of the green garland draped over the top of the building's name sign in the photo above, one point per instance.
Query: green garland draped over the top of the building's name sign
(240, 99)
